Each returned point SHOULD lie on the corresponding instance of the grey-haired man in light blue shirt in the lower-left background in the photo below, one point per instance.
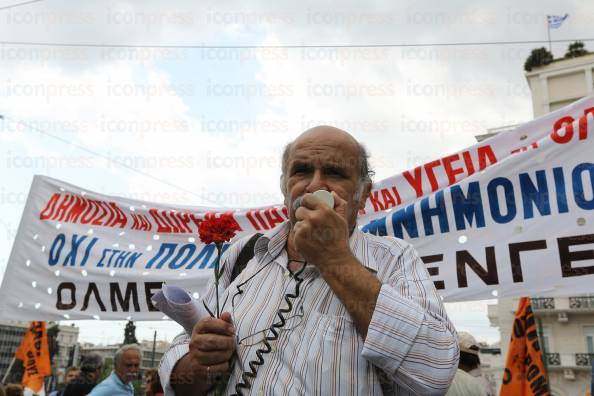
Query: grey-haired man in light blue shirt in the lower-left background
(126, 363)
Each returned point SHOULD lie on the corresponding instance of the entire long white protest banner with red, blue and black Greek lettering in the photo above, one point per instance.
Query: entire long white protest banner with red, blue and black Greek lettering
(512, 215)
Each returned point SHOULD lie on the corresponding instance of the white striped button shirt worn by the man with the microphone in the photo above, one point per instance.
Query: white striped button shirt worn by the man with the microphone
(411, 346)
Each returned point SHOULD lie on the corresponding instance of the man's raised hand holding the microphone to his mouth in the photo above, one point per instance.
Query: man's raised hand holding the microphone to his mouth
(321, 233)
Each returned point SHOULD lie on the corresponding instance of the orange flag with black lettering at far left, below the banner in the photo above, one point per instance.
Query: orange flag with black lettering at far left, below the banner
(34, 353)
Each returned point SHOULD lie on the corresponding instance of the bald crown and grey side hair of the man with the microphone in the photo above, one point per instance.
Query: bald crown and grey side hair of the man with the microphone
(329, 133)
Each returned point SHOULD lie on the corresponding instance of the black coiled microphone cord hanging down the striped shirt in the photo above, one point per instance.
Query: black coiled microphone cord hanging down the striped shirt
(254, 364)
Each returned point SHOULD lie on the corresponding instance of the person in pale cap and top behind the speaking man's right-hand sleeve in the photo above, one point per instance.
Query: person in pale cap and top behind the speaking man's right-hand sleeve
(469, 379)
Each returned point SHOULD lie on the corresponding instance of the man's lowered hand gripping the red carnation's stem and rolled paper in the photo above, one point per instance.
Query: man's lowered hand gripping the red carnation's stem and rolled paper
(211, 348)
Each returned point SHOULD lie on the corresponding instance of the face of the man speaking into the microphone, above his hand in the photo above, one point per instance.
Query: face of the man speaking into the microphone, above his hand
(324, 162)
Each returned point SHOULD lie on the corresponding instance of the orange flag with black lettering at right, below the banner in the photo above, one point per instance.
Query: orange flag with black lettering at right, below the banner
(524, 370)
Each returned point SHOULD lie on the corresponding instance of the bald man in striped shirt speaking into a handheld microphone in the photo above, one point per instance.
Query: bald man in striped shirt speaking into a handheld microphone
(321, 308)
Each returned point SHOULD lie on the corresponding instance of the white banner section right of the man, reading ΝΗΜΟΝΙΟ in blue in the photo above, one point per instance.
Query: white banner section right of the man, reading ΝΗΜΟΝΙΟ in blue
(511, 216)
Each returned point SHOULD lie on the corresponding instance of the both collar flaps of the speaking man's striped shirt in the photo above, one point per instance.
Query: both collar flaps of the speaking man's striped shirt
(270, 245)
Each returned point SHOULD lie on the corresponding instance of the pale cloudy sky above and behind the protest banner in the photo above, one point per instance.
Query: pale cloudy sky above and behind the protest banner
(154, 120)
